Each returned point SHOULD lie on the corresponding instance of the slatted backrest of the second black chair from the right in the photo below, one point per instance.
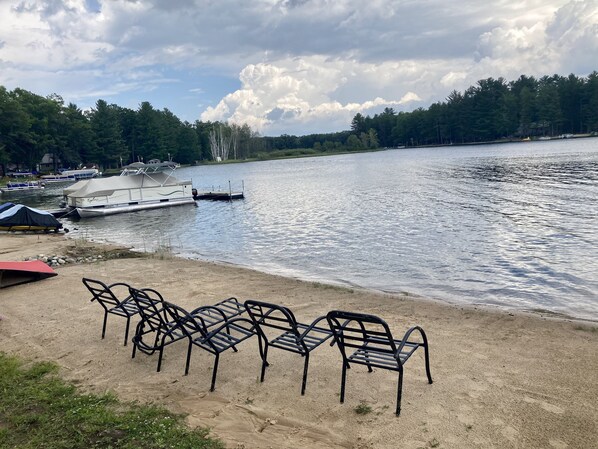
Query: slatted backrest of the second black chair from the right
(271, 318)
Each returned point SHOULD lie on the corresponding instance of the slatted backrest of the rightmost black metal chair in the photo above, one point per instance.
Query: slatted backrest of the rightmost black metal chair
(357, 330)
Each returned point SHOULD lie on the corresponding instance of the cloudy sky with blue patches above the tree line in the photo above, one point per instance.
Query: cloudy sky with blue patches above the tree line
(286, 66)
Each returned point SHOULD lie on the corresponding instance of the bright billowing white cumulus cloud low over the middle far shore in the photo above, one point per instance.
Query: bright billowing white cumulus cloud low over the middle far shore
(300, 93)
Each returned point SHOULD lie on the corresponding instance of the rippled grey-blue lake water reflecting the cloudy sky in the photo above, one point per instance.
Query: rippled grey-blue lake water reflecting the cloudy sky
(510, 225)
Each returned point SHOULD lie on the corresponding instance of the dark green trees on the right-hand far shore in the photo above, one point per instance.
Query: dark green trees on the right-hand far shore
(494, 109)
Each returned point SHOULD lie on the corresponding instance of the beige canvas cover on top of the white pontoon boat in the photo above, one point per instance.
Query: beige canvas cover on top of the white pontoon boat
(107, 186)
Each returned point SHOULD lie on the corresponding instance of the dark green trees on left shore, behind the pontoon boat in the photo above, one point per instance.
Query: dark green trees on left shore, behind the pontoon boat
(108, 135)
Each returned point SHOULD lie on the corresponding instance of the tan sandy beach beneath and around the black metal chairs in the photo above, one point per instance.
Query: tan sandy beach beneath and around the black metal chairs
(501, 379)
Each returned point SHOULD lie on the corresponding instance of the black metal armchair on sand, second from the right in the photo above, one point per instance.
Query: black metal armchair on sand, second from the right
(291, 335)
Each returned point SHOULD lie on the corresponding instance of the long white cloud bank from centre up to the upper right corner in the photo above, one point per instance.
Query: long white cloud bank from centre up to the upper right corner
(315, 89)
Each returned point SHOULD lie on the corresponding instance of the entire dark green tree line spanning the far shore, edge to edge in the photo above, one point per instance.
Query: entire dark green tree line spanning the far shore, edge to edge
(111, 136)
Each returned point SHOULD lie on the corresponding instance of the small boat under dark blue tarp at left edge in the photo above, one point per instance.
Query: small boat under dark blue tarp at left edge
(17, 217)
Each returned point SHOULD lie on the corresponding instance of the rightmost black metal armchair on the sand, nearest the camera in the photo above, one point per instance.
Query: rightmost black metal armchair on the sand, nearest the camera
(373, 345)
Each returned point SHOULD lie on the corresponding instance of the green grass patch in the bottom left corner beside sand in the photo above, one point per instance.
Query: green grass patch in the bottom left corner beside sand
(40, 410)
